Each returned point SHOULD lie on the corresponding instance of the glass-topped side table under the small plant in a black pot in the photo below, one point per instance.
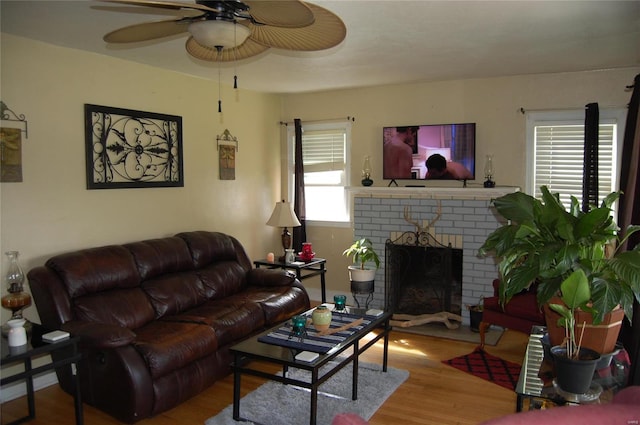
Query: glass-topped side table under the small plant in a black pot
(536, 386)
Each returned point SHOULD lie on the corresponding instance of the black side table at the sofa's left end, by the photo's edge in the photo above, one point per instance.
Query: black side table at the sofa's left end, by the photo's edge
(37, 348)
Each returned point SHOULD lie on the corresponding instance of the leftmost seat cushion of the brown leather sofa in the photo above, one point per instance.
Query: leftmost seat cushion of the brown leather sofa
(168, 346)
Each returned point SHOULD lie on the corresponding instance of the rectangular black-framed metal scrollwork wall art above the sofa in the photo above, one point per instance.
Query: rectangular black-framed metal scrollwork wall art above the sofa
(132, 149)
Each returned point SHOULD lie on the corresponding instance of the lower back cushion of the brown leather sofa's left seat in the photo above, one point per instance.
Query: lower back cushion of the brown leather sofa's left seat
(129, 308)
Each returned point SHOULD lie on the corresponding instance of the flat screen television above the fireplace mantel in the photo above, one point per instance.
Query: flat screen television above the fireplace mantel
(434, 151)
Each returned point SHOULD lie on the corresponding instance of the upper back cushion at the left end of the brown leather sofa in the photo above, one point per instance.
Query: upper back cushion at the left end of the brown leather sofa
(95, 269)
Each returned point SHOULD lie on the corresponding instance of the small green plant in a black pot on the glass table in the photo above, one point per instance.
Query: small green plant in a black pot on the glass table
(575, 364)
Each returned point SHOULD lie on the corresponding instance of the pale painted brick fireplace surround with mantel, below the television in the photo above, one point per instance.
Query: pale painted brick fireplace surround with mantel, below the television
(465, 221)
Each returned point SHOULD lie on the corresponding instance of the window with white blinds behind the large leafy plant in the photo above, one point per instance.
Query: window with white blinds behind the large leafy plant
(555, 142)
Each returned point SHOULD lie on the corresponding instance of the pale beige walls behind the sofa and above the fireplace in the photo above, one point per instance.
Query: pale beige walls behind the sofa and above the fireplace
(52, 212)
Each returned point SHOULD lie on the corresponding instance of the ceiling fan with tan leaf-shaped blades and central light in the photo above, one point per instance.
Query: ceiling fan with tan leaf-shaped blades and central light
(228, 30)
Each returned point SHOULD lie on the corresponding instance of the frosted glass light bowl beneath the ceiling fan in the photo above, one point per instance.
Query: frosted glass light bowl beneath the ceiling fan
(218, 33)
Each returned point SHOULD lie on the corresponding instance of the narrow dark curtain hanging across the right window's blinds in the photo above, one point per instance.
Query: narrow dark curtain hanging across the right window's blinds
(590, 170)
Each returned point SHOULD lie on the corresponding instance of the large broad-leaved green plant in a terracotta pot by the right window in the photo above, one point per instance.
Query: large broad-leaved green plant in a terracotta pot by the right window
(544, 242)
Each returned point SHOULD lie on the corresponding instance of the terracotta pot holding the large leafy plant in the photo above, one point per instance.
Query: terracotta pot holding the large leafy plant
(600, 338)
